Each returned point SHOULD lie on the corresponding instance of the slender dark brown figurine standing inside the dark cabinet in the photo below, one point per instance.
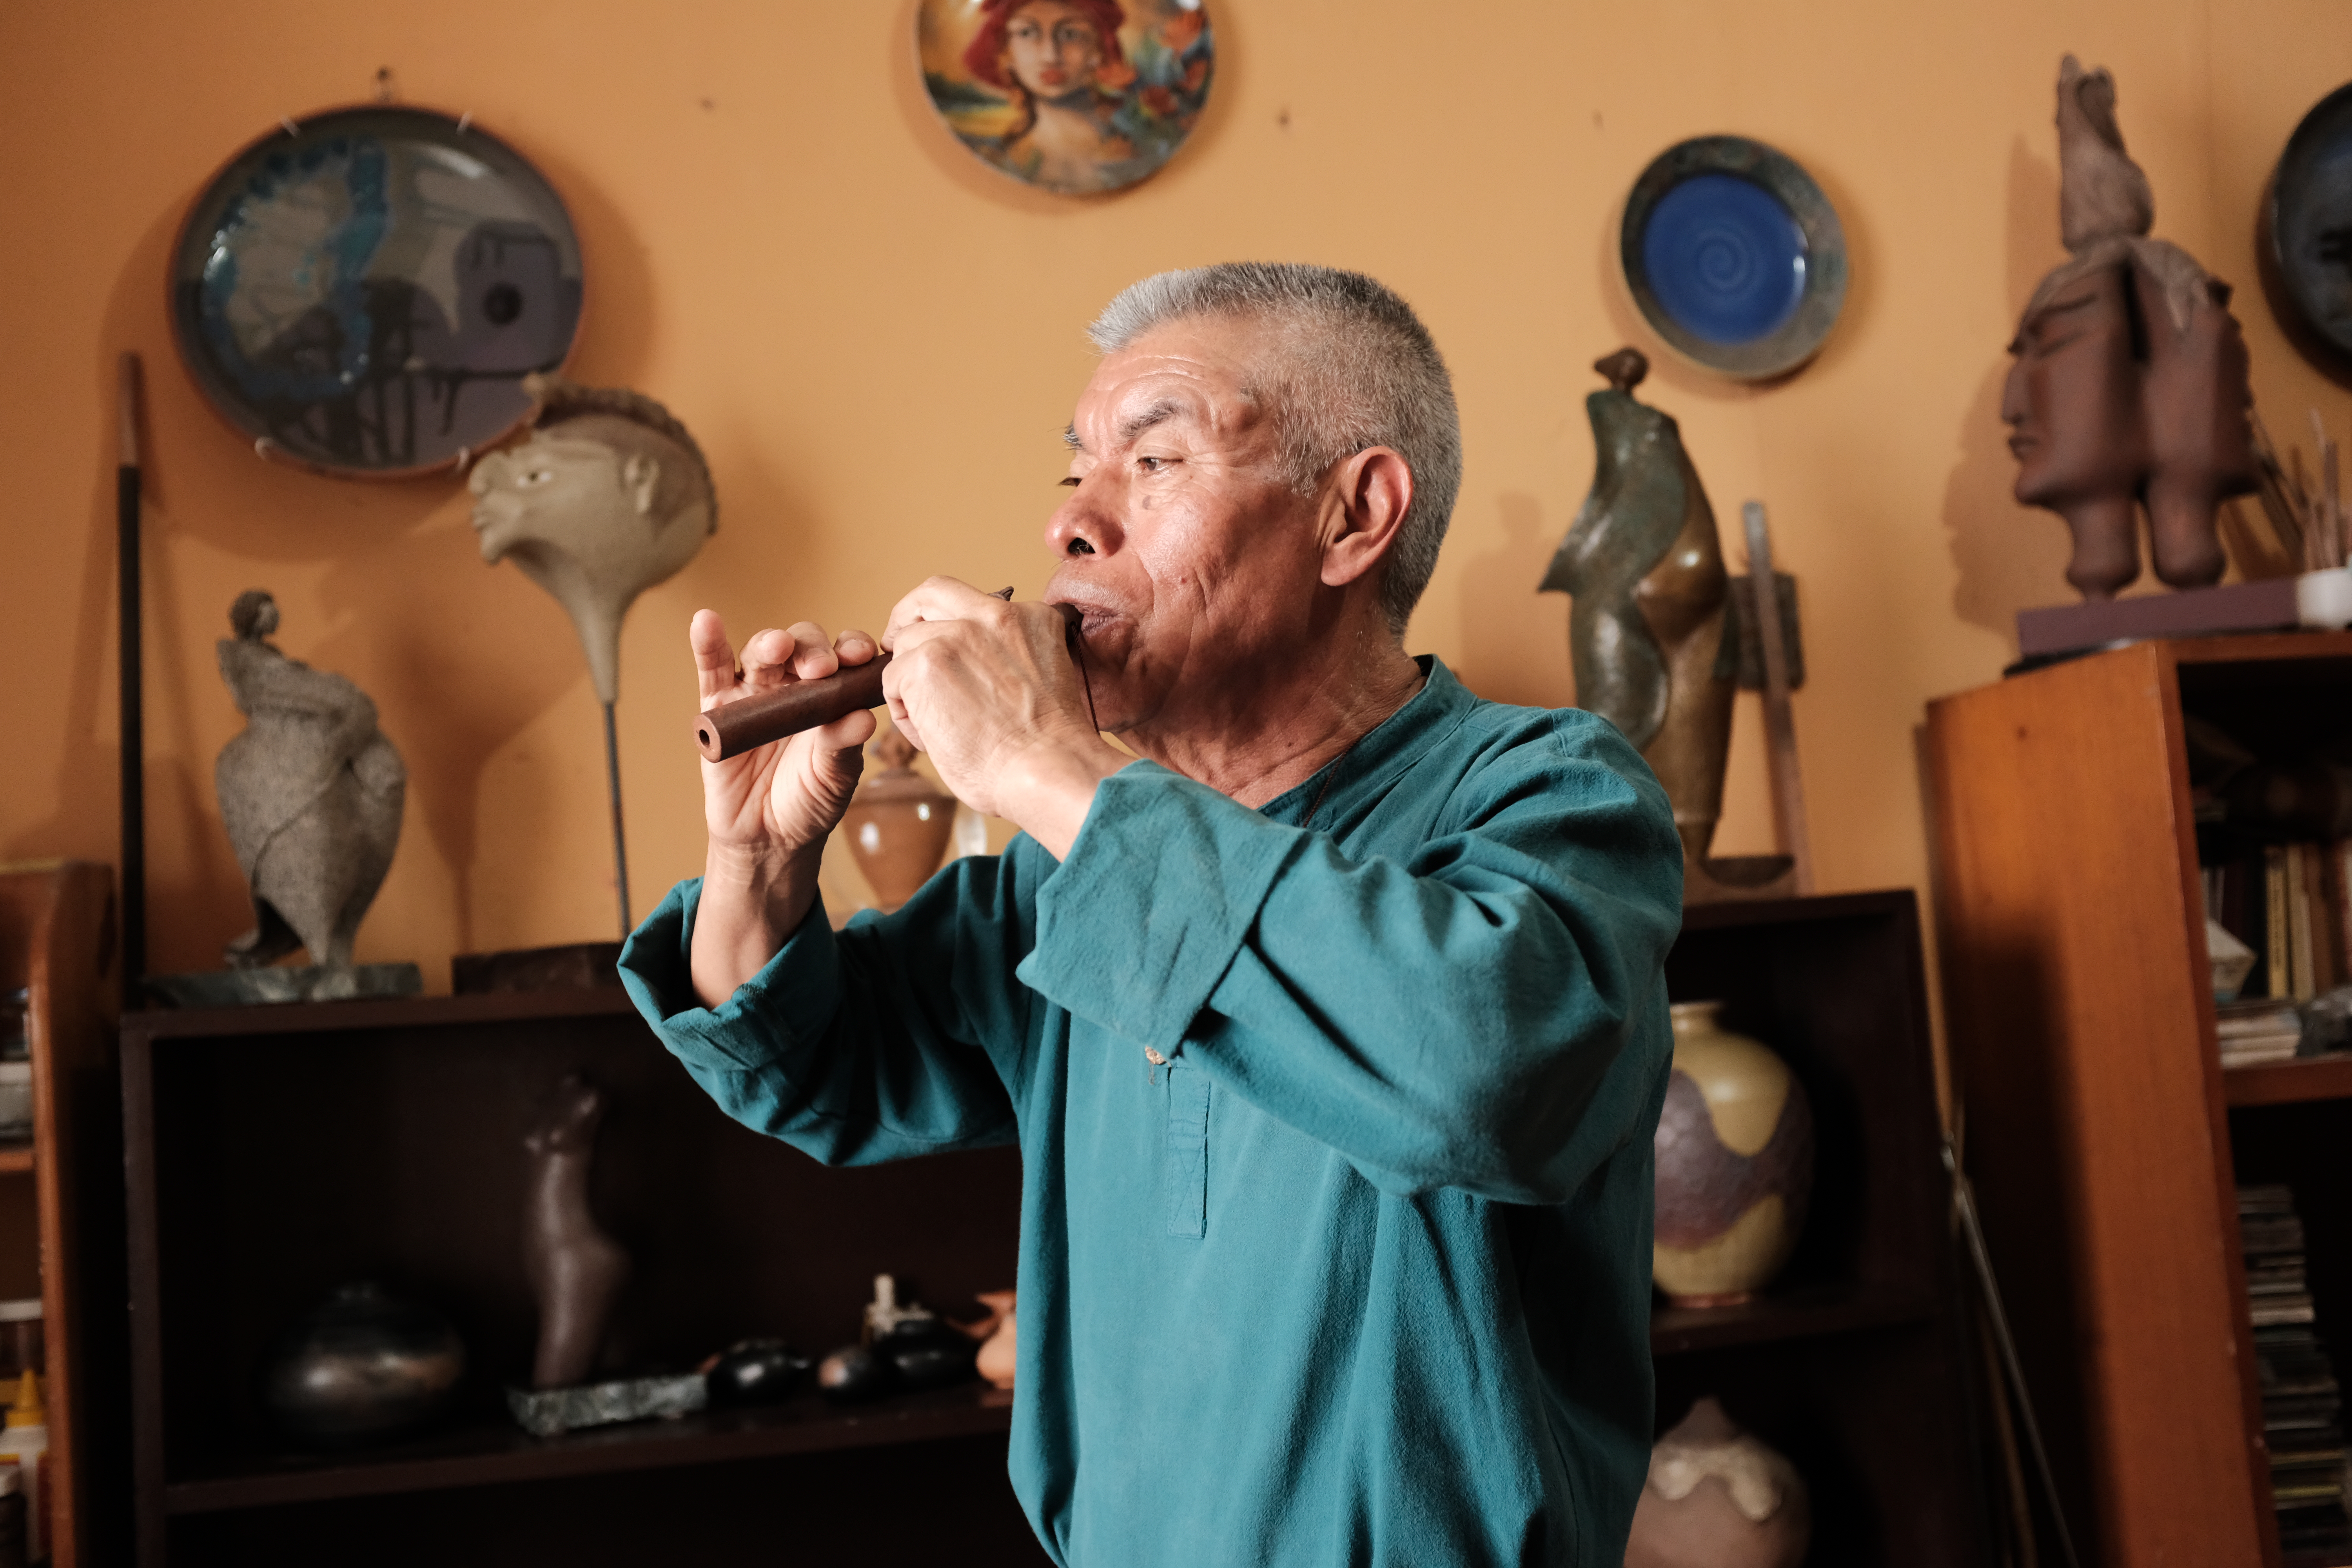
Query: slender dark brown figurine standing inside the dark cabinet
(577, 1271)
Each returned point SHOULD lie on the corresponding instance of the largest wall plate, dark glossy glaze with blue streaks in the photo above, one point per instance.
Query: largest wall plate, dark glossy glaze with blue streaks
(366, 290)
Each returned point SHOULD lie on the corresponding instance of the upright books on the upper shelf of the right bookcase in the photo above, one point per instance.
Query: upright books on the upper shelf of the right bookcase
(2290, 904)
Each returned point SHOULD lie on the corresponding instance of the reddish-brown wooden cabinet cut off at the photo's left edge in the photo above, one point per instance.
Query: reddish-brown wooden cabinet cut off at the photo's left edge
(62, 1198)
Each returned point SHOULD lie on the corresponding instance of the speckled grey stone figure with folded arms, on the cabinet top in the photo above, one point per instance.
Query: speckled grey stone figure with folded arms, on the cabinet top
(312, 798)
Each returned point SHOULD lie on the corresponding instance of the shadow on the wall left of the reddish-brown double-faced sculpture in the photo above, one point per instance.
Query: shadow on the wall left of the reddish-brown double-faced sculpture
(2005, 556)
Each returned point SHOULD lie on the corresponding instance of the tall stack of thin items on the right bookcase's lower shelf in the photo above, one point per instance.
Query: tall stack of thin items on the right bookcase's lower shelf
(2301, 1398)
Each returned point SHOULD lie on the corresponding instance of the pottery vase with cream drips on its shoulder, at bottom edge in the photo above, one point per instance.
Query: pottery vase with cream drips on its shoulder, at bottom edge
(1718, 1499)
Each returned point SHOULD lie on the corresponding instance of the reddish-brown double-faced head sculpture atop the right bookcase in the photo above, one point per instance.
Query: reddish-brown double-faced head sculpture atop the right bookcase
(2130, 384)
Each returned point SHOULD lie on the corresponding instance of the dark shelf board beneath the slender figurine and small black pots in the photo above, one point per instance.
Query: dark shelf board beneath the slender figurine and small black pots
(493, 1454)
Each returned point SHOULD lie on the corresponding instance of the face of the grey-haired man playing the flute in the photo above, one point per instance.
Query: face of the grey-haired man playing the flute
(1191, 556)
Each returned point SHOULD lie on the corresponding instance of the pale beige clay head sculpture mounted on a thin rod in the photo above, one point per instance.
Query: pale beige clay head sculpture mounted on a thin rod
(606, 500)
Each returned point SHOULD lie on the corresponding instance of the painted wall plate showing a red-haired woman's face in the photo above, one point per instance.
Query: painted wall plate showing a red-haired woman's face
(1069, 95)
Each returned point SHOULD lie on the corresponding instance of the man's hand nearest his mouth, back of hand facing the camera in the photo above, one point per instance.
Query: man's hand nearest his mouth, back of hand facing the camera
(989, 690)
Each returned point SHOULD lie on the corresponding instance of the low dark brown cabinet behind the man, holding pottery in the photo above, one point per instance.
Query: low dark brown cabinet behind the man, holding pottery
(276, 1153)
